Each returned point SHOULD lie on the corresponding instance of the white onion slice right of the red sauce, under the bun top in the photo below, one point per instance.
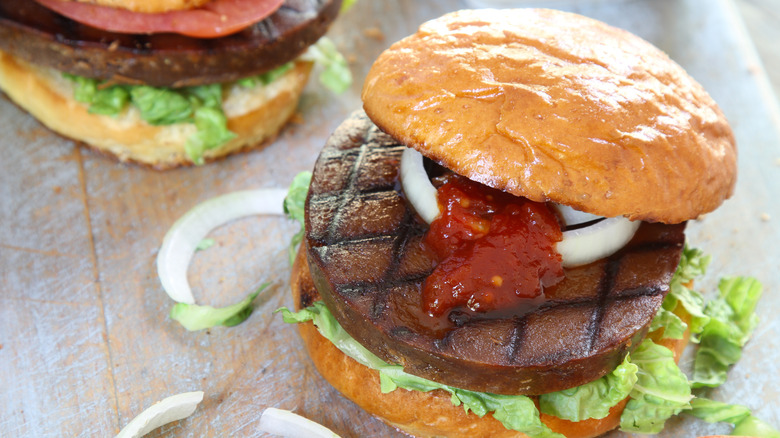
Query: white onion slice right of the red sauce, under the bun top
(602, 239)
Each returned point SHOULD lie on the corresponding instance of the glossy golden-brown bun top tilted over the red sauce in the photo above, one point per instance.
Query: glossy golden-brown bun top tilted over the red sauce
(554, 106)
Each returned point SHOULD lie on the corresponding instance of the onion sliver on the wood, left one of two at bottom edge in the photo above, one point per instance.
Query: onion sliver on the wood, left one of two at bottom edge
(173, 408)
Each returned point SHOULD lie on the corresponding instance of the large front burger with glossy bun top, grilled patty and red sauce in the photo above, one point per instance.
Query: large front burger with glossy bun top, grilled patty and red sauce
(495, 246)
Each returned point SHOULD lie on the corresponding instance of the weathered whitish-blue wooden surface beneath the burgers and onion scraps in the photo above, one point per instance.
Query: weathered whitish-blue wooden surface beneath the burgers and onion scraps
(85, 341)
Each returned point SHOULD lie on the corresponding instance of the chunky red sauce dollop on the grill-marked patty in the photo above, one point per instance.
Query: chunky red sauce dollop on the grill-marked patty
(495, 250)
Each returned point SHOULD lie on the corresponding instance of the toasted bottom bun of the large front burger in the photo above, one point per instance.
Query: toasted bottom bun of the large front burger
(422, 414)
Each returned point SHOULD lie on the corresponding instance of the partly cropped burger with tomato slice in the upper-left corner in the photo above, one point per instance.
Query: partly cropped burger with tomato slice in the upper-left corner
(163, 83)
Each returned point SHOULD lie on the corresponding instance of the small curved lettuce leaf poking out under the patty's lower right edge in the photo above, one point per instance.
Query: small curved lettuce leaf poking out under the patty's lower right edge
(593, 399)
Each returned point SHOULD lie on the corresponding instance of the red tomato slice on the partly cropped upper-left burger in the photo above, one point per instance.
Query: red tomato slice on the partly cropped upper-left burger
(215, 19)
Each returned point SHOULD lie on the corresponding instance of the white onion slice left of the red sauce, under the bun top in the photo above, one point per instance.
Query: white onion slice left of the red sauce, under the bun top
(417, 186)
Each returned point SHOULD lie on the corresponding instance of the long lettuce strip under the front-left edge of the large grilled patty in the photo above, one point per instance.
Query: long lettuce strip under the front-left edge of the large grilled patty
(514, 412)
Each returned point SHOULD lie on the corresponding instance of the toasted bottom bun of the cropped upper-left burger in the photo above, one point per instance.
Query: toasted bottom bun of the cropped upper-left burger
(256, 116)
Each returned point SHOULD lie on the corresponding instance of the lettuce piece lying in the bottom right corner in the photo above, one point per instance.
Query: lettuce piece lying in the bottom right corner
(740, 416)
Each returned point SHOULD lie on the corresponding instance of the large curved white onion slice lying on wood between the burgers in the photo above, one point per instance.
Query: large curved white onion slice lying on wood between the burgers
(181, 240)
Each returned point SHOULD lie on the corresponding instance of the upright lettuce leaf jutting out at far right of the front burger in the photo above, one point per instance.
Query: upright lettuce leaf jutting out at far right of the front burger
(732, 321)
